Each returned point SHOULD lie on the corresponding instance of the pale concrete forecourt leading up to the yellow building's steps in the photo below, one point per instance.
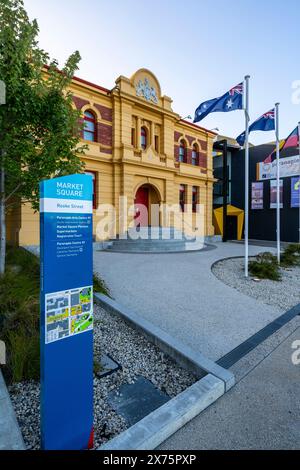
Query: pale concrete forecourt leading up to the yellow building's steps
(179, 293)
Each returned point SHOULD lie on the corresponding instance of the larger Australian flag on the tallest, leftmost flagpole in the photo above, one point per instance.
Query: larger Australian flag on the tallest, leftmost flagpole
(230, 101)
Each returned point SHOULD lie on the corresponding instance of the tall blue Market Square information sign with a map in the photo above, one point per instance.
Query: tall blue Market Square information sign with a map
(66, 312)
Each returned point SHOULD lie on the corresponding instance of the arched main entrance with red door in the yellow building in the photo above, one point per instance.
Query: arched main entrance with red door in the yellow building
(146, 204)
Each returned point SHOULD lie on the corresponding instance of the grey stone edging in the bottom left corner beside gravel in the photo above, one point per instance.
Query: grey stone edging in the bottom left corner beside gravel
(10, 433)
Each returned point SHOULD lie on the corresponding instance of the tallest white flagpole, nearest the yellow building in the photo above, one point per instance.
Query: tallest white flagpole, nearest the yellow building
(246, 173)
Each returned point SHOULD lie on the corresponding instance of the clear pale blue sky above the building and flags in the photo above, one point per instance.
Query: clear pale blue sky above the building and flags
(198, 49)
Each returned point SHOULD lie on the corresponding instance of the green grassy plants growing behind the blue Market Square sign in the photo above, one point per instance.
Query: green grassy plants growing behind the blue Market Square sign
(20, 314)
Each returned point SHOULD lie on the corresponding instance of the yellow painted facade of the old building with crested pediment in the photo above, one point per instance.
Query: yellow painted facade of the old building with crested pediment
(122, 166)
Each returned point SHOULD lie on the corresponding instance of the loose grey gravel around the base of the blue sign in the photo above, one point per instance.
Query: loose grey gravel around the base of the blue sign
(137, 357)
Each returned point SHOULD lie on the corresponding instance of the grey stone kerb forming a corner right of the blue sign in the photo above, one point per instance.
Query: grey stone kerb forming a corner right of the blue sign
(155, 428)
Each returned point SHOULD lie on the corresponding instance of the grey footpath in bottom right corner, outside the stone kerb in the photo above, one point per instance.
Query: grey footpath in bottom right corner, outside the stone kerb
(261, 412)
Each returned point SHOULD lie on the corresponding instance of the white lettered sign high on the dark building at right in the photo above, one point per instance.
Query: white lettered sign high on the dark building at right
(288, 166)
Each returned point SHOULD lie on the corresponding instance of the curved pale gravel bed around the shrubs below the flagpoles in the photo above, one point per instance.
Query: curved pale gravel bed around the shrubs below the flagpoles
(284, 294)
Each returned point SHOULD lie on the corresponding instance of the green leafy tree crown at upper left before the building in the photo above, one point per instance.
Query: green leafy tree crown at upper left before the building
(39, 128)
